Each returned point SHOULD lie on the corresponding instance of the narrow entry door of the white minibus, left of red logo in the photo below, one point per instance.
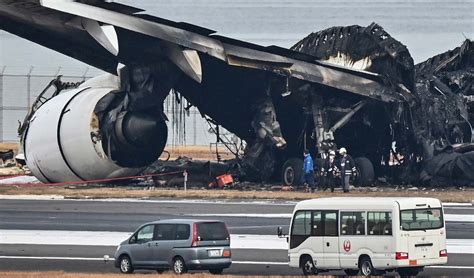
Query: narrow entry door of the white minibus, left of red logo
(331, 239)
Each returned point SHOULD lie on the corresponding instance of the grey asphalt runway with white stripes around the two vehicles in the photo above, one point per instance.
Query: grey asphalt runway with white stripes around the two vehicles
(246, 220)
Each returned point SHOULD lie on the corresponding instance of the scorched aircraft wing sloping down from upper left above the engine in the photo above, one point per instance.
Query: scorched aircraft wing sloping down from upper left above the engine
(95, 32)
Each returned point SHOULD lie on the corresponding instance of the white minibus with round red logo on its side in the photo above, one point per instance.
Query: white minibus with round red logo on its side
(370, 235)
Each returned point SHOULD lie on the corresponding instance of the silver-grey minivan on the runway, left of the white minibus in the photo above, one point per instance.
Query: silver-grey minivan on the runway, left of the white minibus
(179, 244)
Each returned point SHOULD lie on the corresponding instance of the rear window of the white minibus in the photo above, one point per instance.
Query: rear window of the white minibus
(421, 219)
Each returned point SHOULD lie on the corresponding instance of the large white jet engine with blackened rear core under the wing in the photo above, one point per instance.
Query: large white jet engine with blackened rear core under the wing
(64, 142)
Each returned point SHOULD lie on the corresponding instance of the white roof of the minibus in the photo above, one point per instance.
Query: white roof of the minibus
(338, 203)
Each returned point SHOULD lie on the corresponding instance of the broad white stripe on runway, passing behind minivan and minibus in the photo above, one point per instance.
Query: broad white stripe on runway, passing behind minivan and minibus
(238, 241)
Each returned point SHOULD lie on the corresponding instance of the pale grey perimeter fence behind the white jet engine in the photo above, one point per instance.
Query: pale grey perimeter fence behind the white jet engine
(19, 87)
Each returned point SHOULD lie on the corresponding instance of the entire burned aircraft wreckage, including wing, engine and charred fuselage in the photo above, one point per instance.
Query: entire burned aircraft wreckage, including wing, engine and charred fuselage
(353, 86)
